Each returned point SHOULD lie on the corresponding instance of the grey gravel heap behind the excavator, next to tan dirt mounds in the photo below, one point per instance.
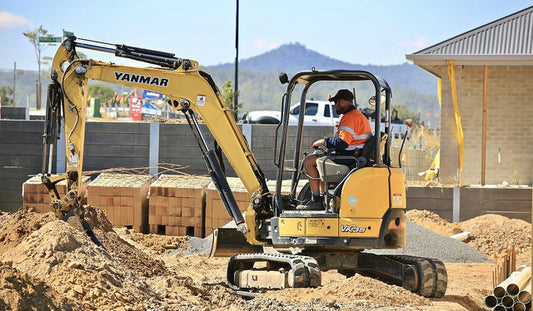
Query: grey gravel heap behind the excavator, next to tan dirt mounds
(420, 242)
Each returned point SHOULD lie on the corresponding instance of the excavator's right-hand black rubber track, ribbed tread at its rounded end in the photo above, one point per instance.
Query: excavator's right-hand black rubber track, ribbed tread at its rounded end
(432, 275)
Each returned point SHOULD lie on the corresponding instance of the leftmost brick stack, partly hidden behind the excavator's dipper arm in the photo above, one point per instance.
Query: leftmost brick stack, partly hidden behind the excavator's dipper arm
(35, 195)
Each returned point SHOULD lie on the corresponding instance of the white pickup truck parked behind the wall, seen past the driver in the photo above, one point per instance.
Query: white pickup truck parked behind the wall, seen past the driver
(317, 113)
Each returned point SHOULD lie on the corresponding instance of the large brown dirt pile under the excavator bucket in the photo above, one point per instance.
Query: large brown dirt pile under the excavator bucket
(54, 253)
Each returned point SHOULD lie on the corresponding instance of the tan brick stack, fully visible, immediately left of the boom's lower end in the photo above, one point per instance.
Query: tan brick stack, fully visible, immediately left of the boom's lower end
(177, 205)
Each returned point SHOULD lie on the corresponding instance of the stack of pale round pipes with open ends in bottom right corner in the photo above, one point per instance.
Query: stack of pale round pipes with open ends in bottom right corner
(514, 293)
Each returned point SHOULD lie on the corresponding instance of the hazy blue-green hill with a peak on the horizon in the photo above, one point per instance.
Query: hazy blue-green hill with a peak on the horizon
(260, 89)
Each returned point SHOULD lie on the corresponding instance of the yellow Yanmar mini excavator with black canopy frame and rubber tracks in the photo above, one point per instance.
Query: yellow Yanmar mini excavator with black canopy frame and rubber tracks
(276, 244)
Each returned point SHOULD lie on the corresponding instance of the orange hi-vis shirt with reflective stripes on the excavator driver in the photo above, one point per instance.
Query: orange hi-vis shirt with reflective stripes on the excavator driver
(354, 128)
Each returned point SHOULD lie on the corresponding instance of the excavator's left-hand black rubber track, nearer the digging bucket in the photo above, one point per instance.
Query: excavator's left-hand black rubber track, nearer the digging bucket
(305, 270)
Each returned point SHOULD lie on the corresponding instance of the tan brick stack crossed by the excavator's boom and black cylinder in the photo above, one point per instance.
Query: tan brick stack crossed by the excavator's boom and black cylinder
(215, 213)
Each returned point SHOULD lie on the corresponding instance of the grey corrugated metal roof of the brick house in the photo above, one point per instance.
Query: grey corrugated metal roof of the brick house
(506, 41)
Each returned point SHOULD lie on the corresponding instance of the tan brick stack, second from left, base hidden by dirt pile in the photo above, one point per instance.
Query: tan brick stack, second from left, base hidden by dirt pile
(123, 197)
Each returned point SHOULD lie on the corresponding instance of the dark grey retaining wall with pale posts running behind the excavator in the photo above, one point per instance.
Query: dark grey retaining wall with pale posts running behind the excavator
(134, 145)
